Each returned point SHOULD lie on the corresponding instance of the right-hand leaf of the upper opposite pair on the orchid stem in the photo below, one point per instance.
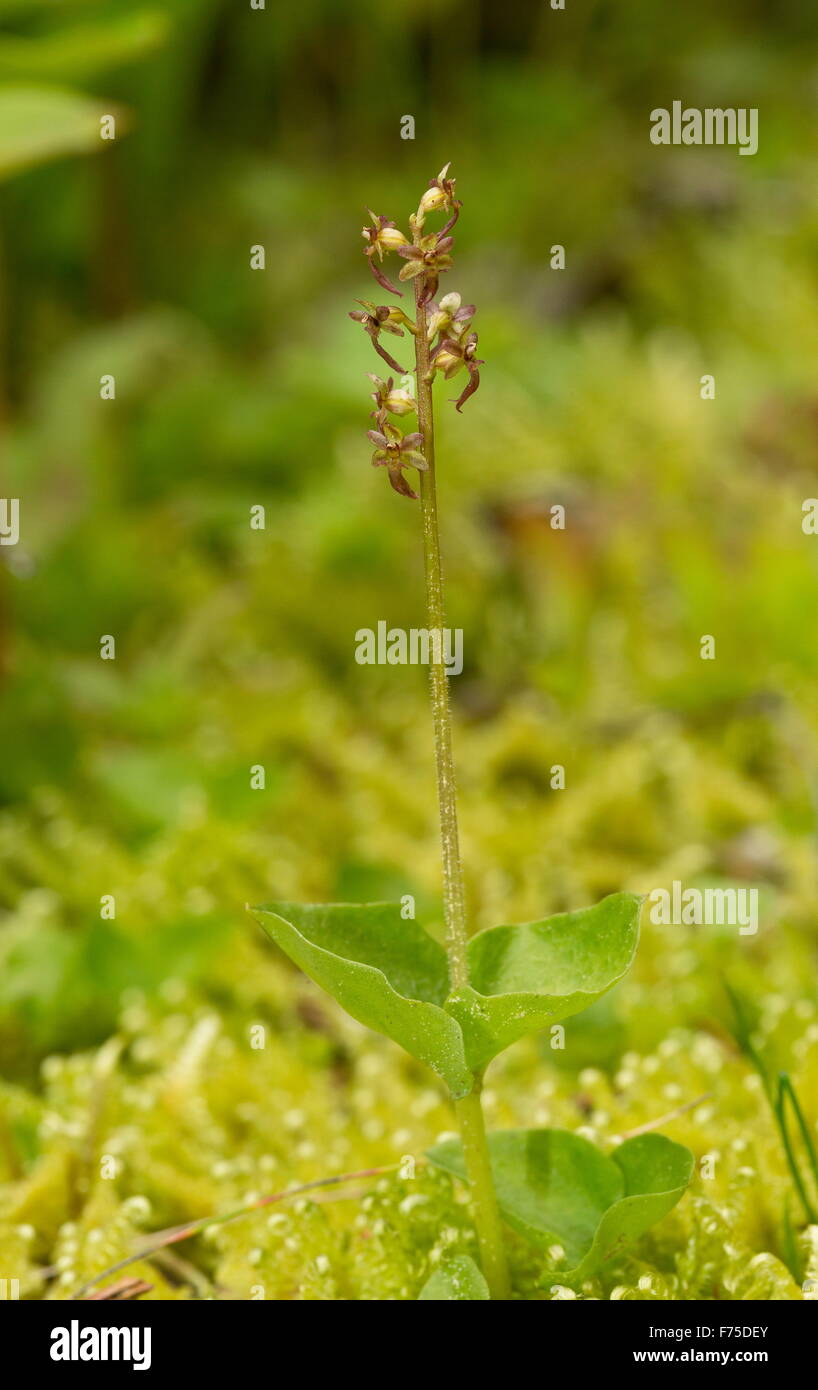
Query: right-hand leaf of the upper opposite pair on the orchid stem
(525, 978)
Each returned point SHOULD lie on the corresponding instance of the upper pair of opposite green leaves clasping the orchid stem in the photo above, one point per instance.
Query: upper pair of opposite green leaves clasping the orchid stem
(390, 975)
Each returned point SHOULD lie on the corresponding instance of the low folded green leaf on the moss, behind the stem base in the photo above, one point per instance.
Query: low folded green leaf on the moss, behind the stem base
(557, 1189)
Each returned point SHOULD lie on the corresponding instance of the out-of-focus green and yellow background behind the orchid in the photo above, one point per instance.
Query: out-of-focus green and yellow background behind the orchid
(239, 387)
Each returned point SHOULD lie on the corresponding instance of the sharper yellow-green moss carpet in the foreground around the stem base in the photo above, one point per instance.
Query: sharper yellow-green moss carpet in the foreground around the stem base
(386, 1238)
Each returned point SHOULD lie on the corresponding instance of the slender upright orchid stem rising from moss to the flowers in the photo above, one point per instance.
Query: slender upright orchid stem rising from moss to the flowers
(470, 1110)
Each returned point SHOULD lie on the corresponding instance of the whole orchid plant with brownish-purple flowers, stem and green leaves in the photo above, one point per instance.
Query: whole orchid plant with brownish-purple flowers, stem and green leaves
(458, 1007)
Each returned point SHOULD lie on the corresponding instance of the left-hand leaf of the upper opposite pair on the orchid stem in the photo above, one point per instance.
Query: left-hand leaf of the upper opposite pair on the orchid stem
(383, 970)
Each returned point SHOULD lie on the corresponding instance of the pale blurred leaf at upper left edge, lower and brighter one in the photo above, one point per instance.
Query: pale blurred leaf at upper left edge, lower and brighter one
(40, 124)
